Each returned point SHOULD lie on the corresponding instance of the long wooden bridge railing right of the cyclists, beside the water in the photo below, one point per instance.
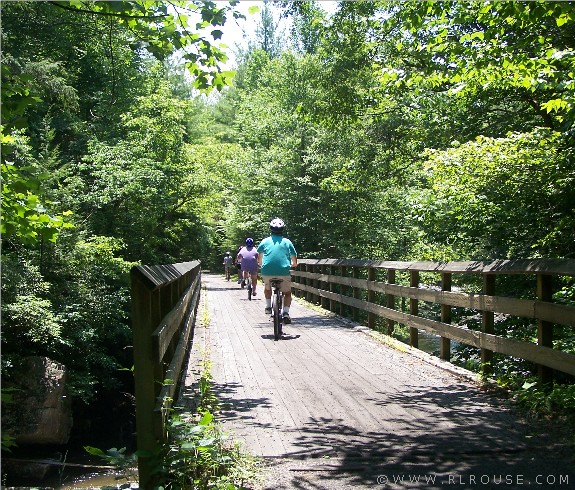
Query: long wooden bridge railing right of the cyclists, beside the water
(355, 288)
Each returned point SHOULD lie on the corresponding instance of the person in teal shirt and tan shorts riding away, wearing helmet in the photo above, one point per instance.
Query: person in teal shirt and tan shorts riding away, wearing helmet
(276, 256)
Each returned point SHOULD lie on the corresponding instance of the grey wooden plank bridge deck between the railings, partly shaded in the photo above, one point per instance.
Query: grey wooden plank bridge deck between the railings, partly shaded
(331, 407)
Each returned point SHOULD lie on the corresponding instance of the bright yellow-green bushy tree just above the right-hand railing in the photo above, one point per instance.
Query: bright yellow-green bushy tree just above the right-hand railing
(500, 198)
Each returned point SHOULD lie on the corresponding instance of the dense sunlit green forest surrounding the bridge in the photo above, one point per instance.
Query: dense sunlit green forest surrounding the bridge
(384, 130)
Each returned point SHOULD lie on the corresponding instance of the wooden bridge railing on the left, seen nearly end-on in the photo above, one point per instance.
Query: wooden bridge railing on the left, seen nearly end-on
(164, 305)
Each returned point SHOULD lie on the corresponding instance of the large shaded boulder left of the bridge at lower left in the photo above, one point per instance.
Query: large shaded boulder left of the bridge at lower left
(41, 410)
